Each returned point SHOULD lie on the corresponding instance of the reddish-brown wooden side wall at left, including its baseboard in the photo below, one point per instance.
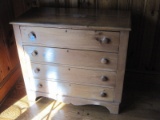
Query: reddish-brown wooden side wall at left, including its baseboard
(8, 51)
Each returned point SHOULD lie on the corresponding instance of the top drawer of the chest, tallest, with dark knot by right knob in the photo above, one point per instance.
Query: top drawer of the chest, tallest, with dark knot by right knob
(68, 38)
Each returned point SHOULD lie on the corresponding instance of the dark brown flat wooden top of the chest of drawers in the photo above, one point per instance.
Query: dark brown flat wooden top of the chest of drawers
(77, 18)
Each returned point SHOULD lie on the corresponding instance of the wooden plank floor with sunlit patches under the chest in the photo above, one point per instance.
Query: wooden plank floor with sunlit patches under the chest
(138, 104)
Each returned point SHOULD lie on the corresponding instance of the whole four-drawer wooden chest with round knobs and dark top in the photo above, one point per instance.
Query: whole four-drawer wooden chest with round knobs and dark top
(74, 56)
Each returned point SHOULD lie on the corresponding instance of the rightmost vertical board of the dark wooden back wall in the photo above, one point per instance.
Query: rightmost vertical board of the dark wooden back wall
(151, 18)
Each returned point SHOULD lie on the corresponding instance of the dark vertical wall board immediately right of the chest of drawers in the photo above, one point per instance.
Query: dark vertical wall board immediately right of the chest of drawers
(136, 35)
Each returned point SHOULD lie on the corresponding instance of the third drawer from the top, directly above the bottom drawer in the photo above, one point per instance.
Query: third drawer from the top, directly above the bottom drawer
(74, 75)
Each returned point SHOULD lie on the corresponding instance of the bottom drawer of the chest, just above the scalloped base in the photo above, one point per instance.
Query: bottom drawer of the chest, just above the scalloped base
(73, 90)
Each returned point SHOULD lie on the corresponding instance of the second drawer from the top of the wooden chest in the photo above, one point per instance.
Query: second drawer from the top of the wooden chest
(99, 60)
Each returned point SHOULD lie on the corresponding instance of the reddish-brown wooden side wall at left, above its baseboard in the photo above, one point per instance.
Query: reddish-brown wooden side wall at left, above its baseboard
(9, 9)
